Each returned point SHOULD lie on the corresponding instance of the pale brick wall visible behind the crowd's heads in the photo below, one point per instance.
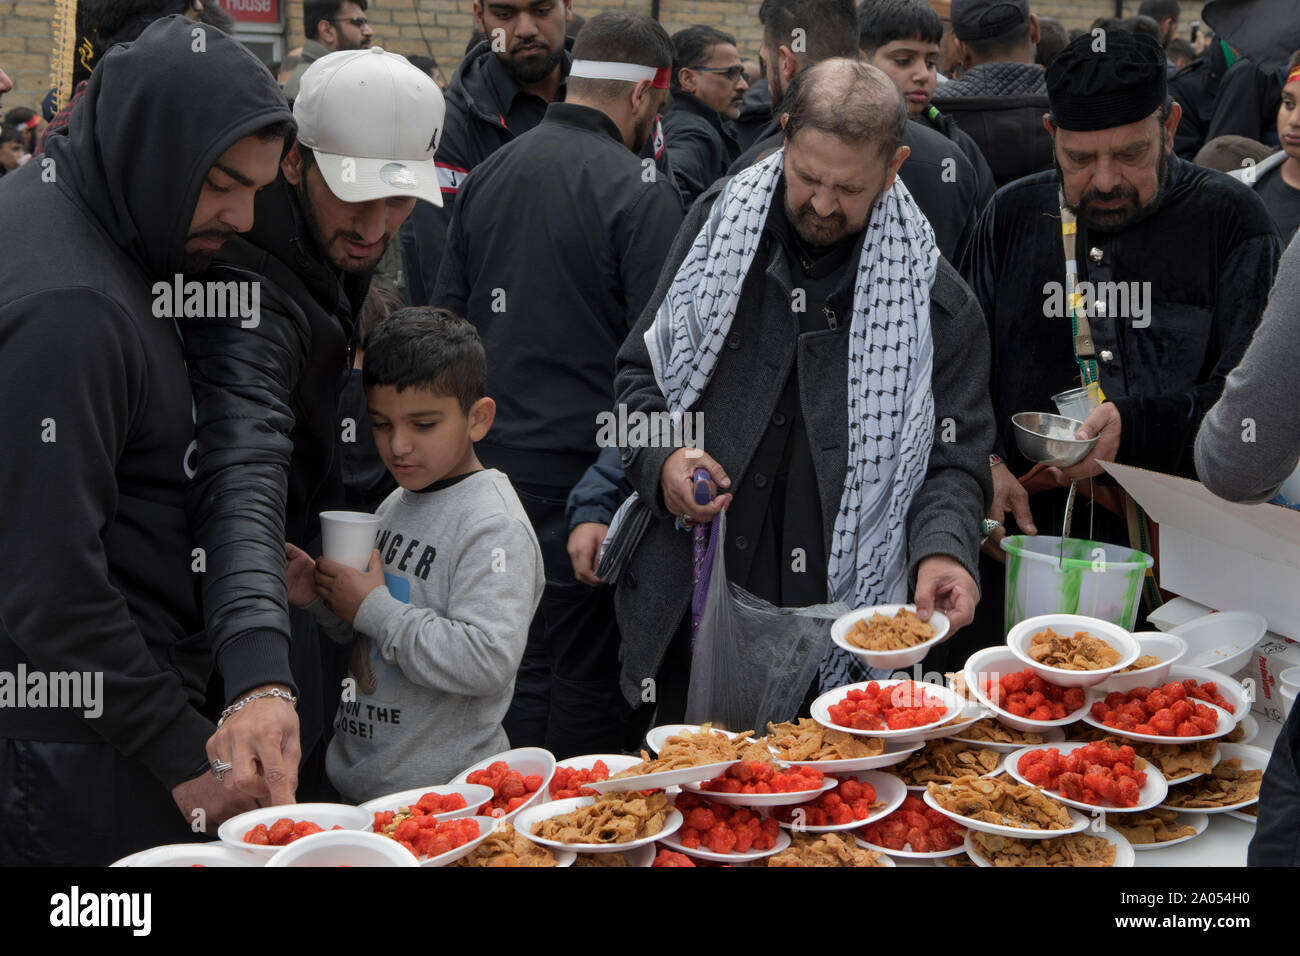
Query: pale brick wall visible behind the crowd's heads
(437, 27)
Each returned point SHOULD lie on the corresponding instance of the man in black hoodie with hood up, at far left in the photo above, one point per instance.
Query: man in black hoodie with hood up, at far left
(102, 592)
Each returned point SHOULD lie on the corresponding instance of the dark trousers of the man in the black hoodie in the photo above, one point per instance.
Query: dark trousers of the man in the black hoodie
(81, 806)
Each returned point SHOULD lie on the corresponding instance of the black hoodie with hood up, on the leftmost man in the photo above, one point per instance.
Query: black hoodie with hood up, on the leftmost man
(97, 419)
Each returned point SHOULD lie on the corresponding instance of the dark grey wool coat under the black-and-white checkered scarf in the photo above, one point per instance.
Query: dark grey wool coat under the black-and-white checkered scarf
(655, 592)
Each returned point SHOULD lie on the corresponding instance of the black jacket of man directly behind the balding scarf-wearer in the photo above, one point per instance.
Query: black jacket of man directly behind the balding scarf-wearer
(937, 174)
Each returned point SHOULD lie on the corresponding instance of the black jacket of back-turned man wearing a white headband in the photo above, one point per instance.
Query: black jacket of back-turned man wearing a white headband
(553, 263)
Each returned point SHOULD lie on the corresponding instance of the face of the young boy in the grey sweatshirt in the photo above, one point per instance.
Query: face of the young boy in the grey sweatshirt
(424, 438)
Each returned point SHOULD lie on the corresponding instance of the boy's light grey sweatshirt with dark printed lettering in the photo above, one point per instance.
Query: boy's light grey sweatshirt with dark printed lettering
(436, 651)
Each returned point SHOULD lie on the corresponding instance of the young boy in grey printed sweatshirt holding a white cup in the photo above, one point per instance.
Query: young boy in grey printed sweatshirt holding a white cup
(440, 620)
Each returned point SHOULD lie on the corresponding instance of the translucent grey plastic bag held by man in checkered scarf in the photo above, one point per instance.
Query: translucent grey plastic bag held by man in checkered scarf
(753, 663)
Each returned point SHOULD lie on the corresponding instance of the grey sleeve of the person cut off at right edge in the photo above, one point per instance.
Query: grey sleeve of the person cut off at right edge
(1250, 442)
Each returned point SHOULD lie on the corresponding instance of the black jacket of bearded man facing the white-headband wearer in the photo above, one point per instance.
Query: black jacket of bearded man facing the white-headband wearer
(486, 111)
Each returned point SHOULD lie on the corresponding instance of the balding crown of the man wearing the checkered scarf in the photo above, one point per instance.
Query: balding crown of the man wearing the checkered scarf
(851, 101)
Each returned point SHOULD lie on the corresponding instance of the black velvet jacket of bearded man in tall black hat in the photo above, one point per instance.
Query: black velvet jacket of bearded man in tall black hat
(1210, 254)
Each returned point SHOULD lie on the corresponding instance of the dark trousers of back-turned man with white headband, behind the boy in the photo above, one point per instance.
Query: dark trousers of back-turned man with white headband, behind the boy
(567, 694)
